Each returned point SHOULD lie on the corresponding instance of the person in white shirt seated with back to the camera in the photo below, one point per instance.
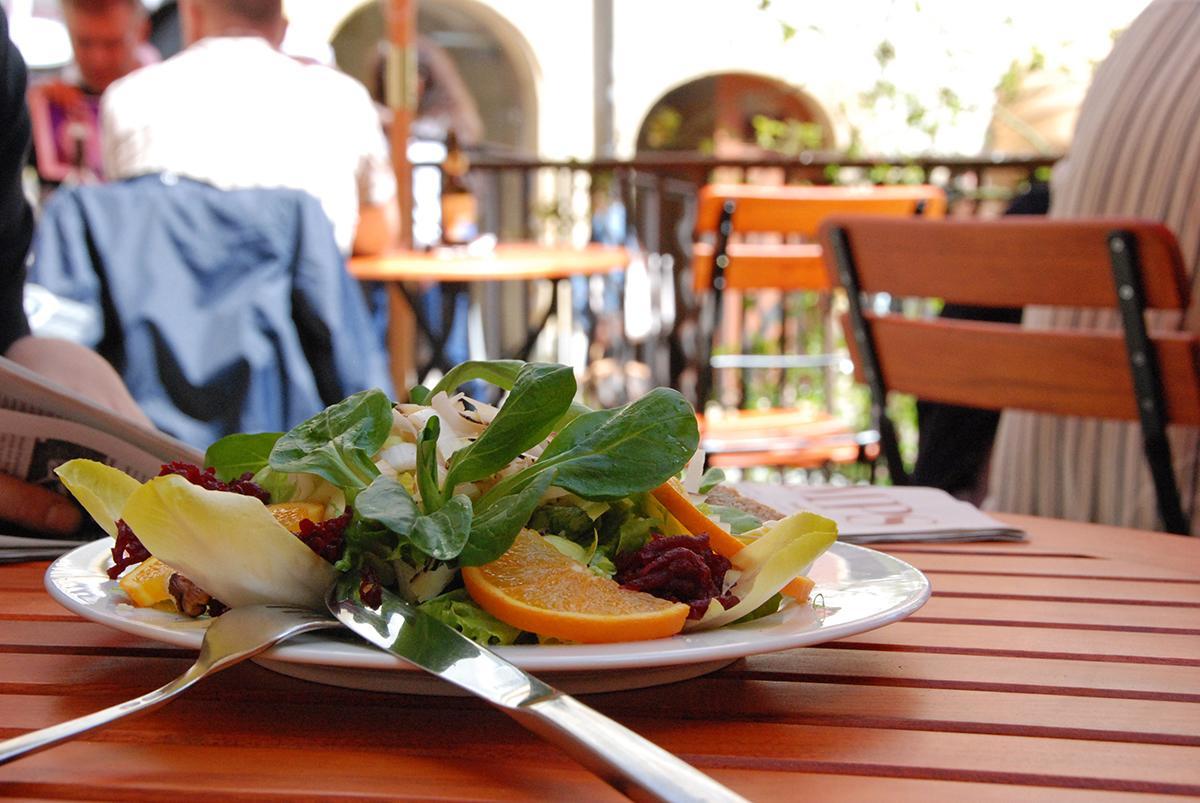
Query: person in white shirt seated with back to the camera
(233, 111)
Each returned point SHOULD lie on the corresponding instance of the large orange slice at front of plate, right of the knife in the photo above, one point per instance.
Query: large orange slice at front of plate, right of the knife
(536, 588)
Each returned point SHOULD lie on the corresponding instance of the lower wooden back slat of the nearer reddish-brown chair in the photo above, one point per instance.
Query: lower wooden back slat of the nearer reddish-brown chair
(997, 367)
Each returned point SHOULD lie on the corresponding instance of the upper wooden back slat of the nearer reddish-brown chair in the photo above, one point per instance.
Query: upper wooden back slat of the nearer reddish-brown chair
(1011, 262)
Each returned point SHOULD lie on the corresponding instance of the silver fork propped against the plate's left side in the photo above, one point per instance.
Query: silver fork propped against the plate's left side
(236, 636)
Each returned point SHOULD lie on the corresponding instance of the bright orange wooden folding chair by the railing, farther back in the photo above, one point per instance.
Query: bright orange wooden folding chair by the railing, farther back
(765, 238)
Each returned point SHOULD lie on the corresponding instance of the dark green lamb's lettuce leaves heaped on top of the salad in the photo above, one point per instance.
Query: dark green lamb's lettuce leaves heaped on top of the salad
(596, 456)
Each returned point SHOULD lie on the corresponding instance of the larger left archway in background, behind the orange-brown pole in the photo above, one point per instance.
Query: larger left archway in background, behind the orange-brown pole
(489, 55)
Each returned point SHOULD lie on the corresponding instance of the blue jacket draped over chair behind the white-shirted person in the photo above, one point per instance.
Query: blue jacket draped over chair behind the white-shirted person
(224, 311)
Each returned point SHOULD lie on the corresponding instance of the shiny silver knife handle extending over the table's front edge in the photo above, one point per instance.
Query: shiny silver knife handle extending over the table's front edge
(633, 765)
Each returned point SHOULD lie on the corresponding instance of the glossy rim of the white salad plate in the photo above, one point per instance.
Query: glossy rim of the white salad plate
(859, 590)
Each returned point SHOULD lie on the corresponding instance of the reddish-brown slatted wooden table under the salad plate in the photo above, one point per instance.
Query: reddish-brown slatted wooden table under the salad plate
(1066, 668)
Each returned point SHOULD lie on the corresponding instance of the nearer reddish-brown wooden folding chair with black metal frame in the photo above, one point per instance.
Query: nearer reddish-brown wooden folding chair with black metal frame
(1130, 266)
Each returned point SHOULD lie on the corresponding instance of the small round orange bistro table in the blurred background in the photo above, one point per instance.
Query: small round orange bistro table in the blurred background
(460, 268)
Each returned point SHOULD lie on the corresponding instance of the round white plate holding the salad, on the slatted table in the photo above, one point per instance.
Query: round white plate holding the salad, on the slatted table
(857, 590)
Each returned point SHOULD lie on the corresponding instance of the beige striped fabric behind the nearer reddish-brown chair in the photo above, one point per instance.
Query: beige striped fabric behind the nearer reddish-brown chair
(1136, 152)
